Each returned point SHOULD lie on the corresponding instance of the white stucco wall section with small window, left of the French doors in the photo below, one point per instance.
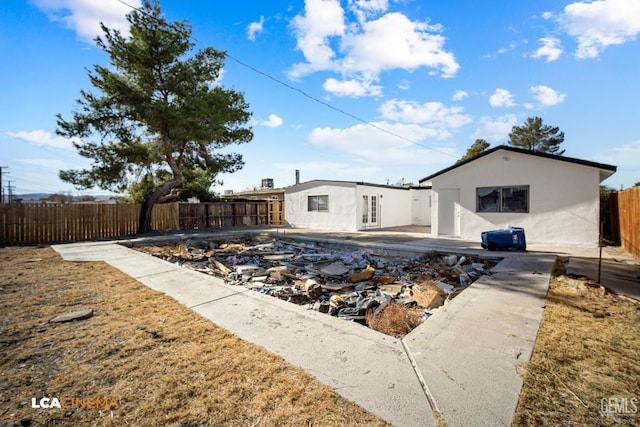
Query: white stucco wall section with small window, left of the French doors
(343, 205)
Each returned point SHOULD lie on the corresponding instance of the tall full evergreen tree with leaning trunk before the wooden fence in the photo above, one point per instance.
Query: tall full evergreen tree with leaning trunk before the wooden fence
(158, 108)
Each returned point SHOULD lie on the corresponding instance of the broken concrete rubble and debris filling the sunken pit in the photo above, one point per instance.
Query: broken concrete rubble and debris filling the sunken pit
(349, 284)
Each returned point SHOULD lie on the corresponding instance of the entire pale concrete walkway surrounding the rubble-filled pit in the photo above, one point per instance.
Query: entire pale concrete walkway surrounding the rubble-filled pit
(462, 363)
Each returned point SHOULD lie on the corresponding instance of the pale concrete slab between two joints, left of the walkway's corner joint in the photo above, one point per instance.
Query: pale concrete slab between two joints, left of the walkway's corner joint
(362, 365)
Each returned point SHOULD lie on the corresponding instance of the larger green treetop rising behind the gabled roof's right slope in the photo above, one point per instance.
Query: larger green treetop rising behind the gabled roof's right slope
(535, 136)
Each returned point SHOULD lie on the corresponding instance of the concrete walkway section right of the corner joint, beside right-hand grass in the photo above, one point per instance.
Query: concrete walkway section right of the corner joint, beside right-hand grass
(469, 352)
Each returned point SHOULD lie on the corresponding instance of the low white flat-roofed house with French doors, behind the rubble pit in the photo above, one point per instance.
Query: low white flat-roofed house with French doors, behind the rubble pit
(353, 206)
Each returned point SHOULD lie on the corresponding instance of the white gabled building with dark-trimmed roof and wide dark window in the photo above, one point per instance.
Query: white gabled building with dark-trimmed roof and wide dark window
(556, 199)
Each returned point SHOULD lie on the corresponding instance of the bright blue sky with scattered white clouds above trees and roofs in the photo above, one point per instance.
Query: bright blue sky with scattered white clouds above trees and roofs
(411, 83)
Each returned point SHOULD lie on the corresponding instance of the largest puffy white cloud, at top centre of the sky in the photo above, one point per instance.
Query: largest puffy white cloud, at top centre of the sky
(362, 50)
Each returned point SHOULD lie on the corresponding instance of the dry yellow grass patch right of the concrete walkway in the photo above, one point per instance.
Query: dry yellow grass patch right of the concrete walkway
(587, 350)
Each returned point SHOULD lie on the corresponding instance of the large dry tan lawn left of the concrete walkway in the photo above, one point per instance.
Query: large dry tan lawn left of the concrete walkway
(164, 364)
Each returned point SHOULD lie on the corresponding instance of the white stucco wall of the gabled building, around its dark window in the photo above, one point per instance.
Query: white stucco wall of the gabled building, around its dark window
(563, 198)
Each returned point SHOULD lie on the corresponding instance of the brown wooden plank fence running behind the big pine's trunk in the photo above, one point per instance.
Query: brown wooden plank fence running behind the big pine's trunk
(54, 223)
